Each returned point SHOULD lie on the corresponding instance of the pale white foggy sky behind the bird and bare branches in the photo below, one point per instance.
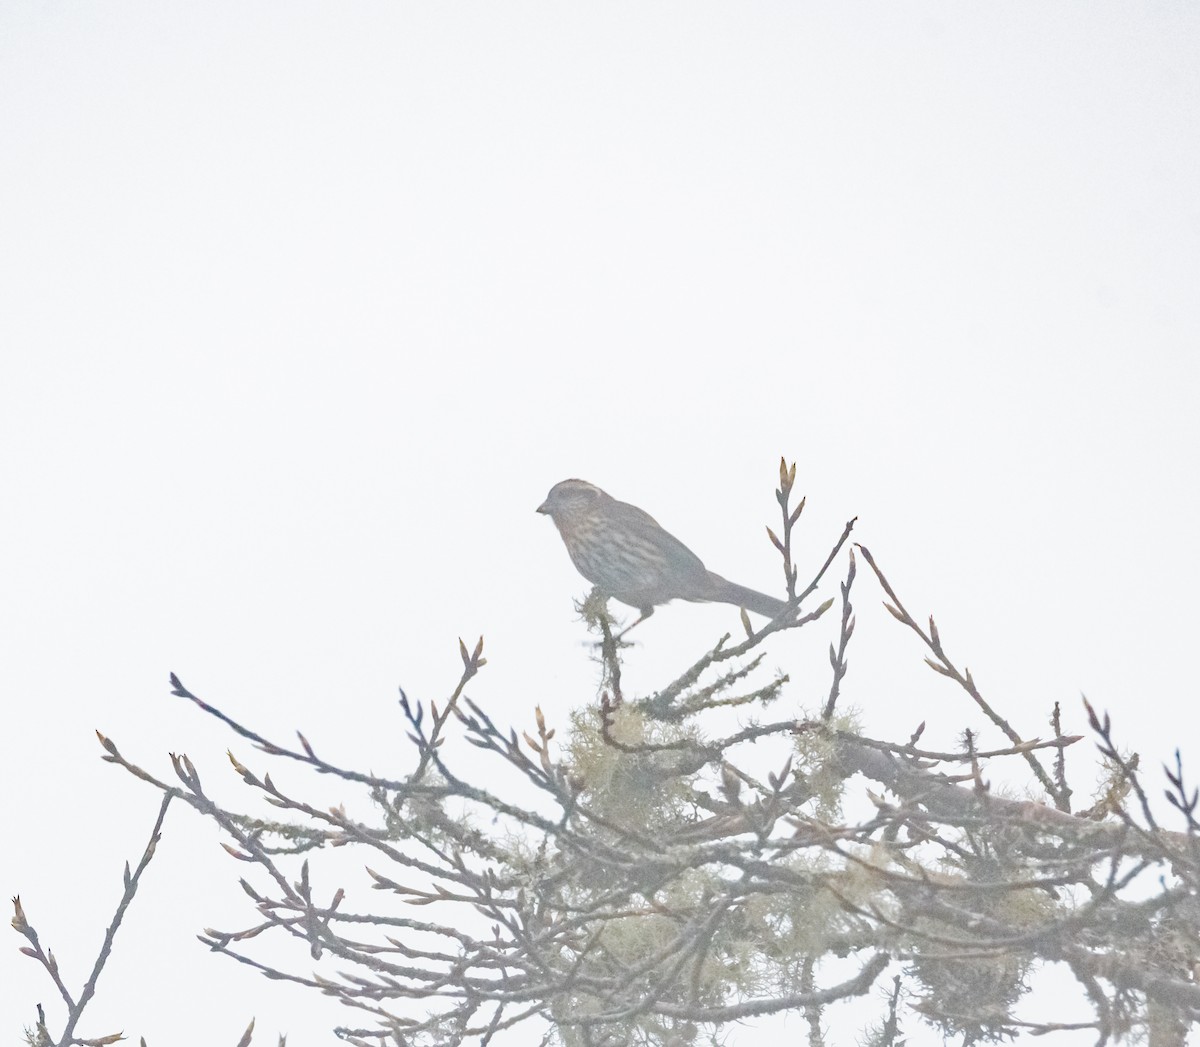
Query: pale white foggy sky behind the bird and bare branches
(303, 309)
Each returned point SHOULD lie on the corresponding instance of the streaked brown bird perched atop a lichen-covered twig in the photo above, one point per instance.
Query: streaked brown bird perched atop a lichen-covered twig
(628, 557)
